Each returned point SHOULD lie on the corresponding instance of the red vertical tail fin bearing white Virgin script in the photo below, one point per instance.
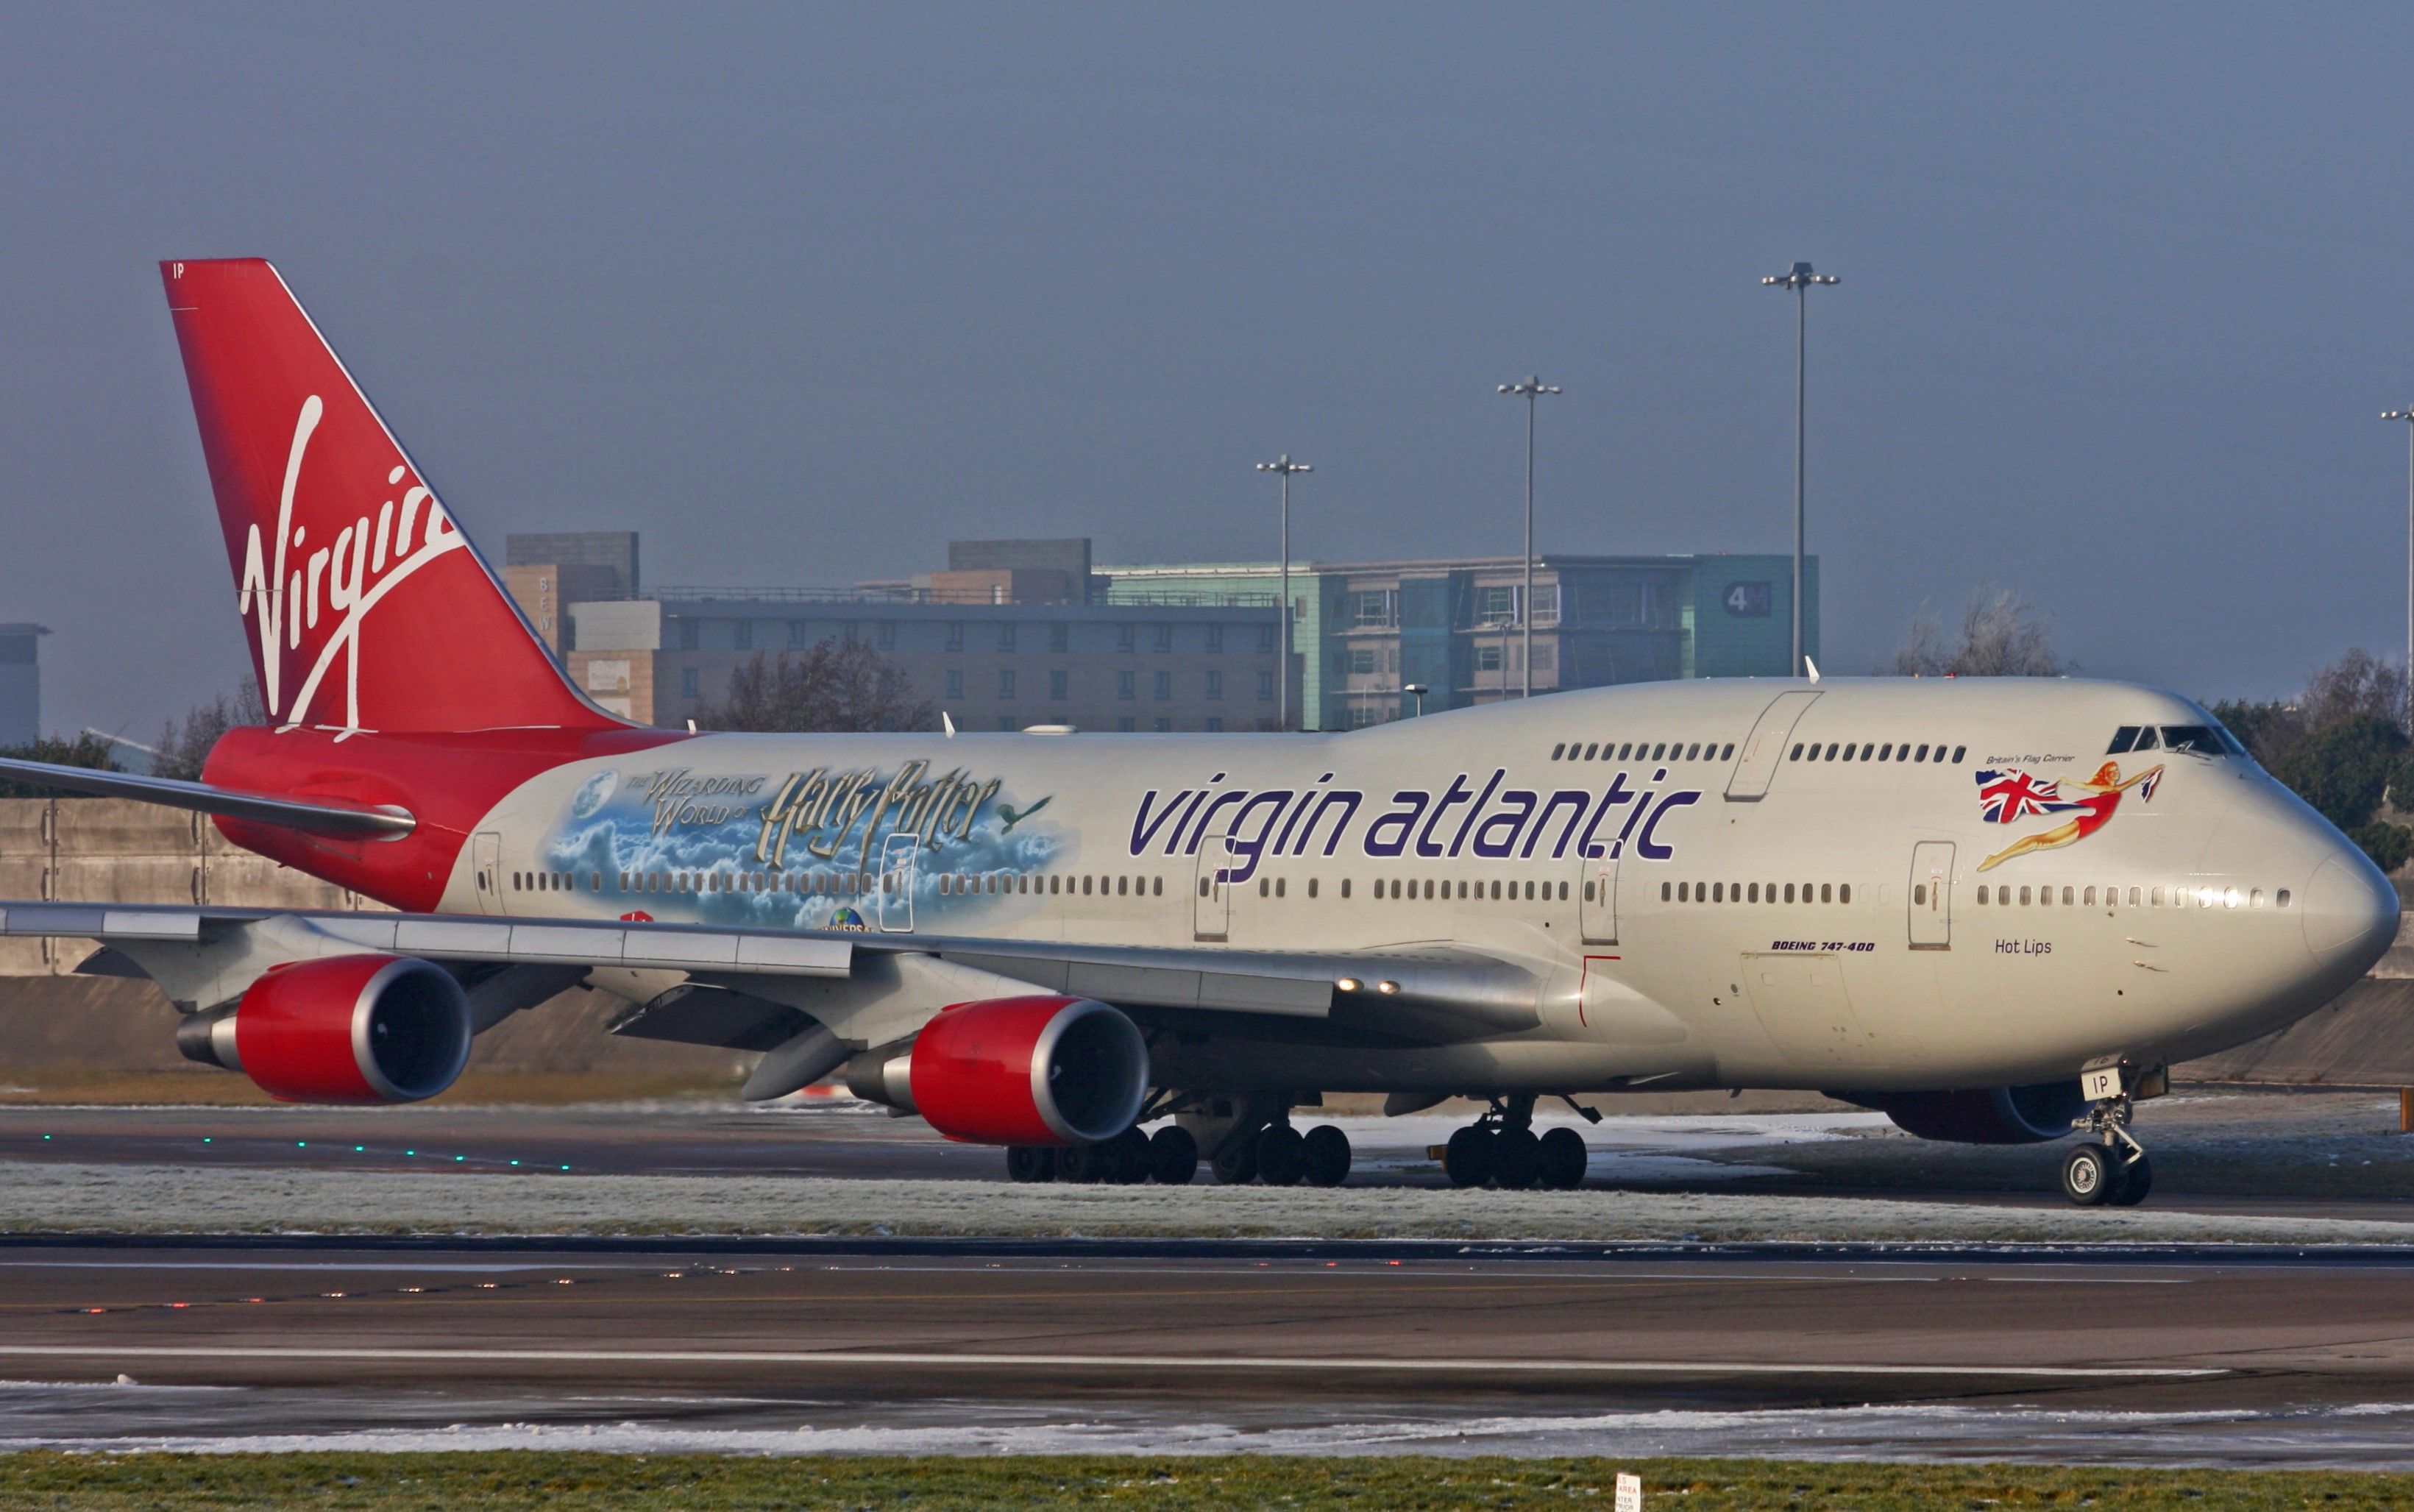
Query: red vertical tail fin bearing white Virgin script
(368, 607)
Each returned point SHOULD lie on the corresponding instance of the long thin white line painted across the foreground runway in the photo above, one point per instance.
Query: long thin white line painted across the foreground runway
(1348, 1363)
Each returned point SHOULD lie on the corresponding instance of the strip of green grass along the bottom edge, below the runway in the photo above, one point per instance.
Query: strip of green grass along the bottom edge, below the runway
(1174, 1484)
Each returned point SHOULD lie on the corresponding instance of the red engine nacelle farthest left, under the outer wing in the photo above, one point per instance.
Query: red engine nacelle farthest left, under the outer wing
(342, 1030)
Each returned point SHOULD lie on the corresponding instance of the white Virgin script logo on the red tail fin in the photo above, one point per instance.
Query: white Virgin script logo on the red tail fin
(344, 578)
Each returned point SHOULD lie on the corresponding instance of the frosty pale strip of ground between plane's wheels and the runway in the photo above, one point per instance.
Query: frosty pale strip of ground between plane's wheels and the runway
(42, 1197)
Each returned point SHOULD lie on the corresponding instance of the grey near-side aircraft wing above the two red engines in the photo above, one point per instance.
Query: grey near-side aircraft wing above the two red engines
(754, 989)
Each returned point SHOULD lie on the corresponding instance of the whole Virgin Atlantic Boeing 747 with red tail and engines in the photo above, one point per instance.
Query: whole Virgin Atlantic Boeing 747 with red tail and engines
(1993, 909)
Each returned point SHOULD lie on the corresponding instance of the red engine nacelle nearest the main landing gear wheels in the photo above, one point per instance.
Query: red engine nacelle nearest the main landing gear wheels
(1018, 1071)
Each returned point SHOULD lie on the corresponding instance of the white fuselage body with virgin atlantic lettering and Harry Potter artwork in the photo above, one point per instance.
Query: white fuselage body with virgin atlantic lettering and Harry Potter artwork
(1715, 883)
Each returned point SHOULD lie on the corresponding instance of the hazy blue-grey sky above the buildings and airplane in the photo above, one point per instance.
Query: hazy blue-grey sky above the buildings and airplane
(803, 293)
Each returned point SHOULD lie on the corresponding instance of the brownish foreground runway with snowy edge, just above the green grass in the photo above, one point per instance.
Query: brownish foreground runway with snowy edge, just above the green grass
(1329, 1349)
